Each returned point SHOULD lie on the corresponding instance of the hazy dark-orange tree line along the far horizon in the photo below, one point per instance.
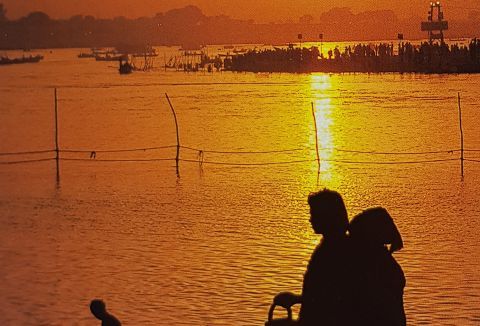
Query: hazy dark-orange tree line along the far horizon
(189, 27)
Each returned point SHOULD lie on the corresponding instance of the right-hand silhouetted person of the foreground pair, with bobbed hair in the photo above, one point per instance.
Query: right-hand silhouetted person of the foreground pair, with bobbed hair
(378, 279)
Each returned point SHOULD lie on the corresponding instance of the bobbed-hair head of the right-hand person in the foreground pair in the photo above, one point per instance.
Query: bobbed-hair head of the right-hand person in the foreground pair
(375, 226)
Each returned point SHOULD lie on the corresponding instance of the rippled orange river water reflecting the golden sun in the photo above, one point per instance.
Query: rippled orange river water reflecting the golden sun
(214, 245)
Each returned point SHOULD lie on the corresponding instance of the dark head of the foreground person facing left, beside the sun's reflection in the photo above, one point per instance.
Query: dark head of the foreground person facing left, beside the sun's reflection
(328, 213)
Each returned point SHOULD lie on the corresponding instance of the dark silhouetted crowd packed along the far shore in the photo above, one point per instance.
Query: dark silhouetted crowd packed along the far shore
(434, 57)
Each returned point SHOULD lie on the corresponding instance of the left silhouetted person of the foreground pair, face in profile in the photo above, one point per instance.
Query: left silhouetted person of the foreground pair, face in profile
(325, 294)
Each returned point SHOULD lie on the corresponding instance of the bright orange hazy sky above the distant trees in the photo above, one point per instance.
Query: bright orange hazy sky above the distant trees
(259, 10)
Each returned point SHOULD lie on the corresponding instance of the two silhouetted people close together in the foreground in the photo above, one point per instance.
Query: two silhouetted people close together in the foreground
(352, 278)
